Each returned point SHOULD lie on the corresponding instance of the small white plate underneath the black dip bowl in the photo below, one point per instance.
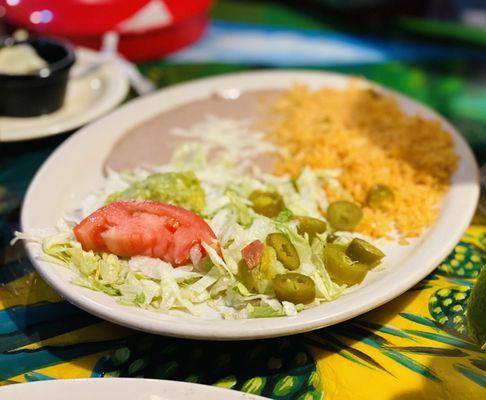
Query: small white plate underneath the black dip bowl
(87, 98)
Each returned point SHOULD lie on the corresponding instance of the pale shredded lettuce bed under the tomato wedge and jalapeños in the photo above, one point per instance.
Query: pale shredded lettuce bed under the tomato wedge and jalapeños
(214, 288)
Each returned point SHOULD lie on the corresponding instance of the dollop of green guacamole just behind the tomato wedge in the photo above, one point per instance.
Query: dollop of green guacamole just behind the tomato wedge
(180, 188)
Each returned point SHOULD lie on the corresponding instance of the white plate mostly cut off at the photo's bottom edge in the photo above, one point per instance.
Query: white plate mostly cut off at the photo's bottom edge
(119, 389)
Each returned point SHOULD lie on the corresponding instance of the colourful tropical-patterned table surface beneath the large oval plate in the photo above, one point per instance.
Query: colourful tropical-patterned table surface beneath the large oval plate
(415, 347)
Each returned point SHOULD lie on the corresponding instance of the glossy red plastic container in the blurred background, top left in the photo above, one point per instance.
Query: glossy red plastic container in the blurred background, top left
(148, 28)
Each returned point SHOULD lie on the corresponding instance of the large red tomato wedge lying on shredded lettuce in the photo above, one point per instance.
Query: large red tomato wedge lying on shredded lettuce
(145, 228)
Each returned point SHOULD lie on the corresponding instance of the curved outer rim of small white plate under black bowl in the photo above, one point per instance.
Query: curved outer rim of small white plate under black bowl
(119, 84)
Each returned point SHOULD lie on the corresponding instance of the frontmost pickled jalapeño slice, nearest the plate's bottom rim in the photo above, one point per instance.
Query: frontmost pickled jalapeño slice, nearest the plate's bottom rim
(295, 288)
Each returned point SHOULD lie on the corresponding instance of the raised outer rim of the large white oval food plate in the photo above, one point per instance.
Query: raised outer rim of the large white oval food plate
(177, 329)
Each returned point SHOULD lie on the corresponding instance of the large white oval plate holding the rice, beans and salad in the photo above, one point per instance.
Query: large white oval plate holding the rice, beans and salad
(75, 169)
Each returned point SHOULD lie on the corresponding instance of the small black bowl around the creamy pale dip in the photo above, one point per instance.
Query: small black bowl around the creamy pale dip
(42, 92)
